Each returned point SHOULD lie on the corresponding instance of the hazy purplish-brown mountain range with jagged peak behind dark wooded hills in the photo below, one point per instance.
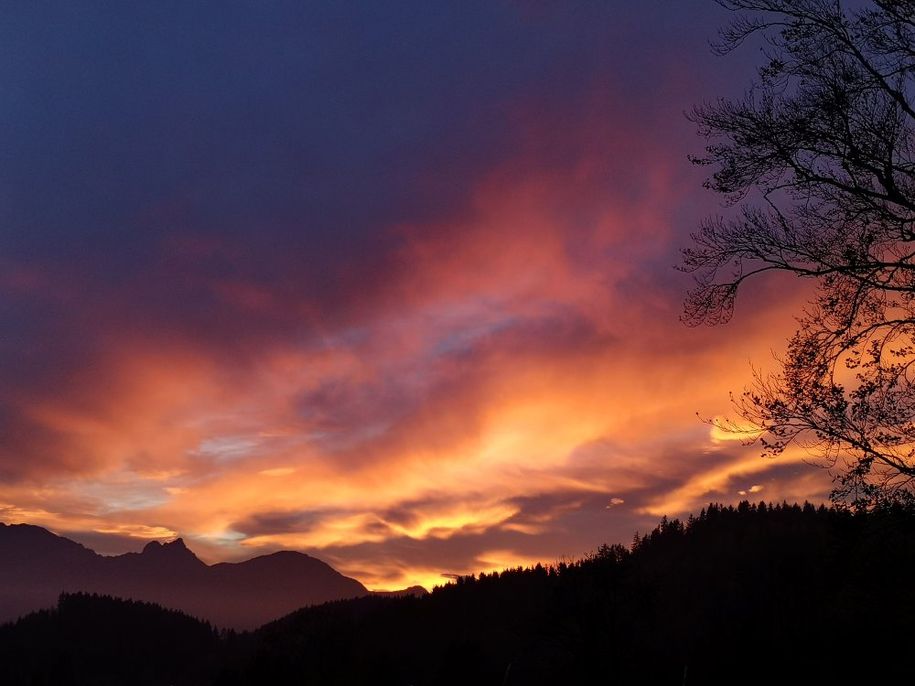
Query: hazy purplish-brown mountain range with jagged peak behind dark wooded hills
(37, 565)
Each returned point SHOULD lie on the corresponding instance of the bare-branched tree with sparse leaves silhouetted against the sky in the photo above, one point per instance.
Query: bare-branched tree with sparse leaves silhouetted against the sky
(820, 157)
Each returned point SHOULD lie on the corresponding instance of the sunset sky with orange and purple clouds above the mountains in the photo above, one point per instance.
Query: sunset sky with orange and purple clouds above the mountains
(388, 283)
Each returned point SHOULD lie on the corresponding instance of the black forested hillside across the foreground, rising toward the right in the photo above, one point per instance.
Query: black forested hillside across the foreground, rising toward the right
(753, 594)
